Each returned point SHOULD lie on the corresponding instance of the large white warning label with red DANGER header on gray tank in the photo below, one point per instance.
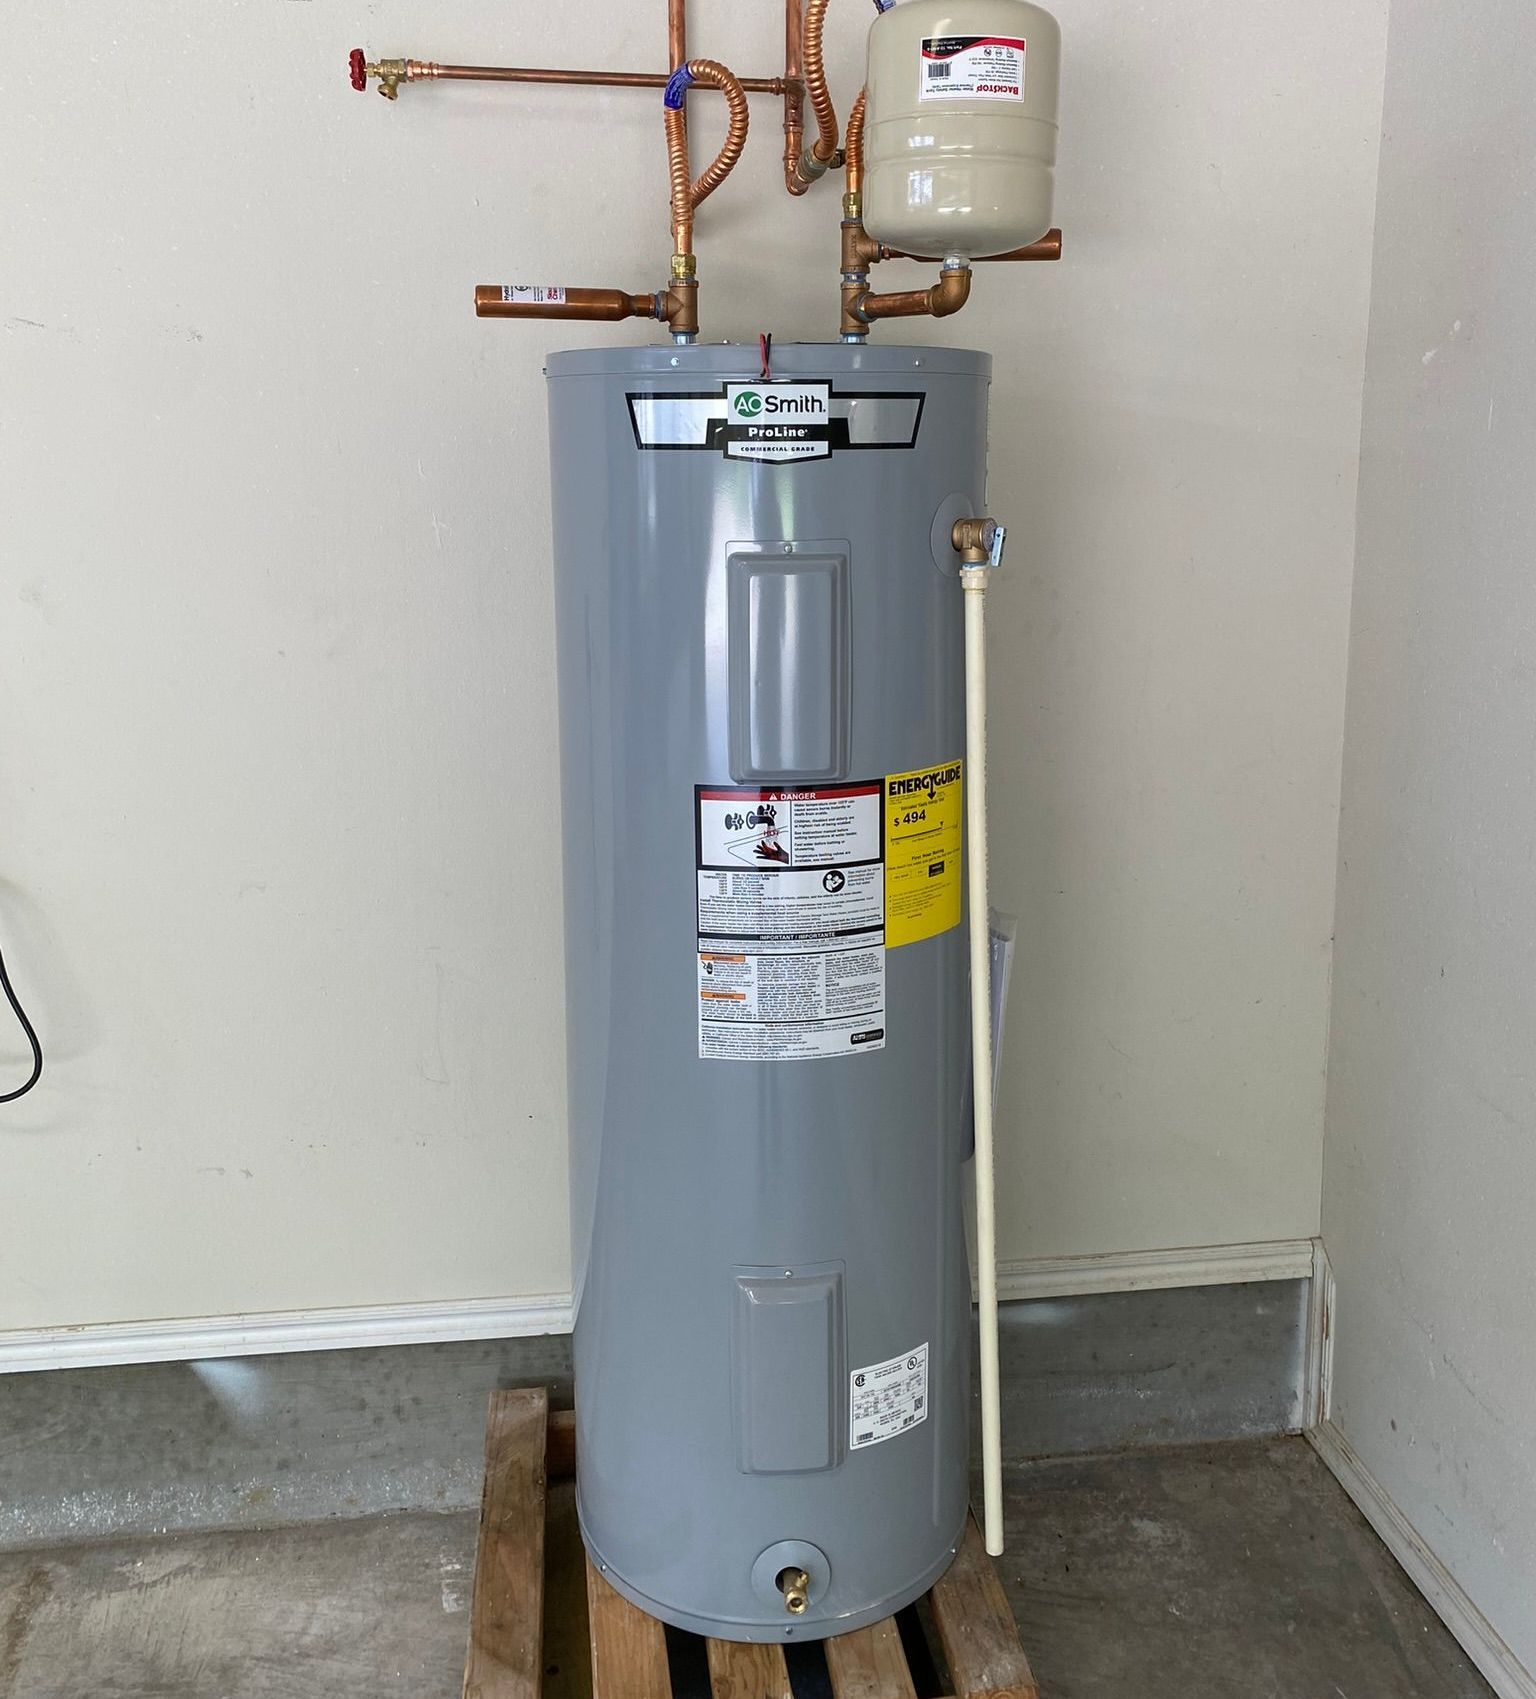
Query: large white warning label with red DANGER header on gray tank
(791, 922)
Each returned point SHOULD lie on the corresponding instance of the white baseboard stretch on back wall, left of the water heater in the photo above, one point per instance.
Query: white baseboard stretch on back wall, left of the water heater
(246, 1336)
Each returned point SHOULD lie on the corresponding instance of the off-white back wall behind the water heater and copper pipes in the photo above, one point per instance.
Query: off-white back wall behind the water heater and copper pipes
(276, 737)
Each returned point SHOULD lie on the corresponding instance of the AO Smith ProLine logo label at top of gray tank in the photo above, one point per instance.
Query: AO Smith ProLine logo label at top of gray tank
(777, 424)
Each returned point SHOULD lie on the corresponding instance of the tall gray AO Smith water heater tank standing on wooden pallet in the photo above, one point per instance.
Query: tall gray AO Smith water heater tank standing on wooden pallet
(762, 730)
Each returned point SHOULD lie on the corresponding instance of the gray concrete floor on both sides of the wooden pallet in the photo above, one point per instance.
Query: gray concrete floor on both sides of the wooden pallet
(1197, 1572)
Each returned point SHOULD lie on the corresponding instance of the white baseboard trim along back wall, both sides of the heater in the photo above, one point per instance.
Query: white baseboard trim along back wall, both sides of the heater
(417, 1324)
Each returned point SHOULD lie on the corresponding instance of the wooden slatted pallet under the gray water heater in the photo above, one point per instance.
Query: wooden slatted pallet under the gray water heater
(531, 1447)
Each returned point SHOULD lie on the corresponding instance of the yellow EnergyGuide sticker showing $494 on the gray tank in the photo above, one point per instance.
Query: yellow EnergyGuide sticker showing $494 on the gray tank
(925, 816)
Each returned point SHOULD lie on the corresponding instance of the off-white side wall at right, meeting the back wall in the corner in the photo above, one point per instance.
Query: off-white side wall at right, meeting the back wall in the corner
(1432, 1144)
